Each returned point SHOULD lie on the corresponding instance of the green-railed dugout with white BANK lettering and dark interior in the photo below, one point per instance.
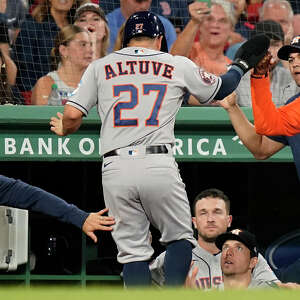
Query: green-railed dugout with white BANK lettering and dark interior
(264, 194)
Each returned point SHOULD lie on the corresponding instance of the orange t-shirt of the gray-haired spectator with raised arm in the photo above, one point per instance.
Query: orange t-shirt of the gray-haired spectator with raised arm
(200, 57)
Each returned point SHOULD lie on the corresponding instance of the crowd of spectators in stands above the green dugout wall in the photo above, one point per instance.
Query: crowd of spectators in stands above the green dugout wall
(32, 38)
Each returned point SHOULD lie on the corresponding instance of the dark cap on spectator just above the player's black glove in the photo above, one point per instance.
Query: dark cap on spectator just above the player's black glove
(271, 29)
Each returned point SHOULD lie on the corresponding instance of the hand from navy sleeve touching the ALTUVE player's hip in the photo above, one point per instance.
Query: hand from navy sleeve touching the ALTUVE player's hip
(96, 221)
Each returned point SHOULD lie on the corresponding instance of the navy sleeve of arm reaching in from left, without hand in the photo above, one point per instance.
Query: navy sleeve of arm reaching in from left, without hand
(16, 193)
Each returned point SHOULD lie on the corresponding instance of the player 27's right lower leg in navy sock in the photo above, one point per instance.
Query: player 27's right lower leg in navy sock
(177, 262)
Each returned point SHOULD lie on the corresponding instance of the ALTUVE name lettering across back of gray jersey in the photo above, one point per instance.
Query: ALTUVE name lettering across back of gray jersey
(143, 67)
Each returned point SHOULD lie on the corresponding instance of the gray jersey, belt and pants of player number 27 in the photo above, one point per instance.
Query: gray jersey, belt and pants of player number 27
(138, 92)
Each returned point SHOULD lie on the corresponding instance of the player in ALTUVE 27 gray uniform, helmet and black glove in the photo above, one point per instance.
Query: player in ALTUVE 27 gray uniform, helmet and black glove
(138, 91)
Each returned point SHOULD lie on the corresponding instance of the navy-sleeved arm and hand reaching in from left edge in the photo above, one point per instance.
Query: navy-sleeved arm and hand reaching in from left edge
(16, 193)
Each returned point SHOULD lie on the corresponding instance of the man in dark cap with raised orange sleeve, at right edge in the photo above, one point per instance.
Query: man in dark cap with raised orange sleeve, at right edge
(268, 119)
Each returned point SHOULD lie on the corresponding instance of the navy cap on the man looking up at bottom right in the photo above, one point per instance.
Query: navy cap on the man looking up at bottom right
(243, 236)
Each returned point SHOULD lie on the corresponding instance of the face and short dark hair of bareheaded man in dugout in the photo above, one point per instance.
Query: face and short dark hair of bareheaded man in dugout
(211, 218)
